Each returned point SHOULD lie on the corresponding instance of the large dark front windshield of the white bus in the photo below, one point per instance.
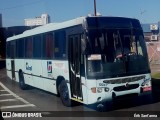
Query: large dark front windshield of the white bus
(116, 52)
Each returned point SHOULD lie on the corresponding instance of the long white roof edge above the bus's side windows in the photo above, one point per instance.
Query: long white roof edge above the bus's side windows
(47, 28)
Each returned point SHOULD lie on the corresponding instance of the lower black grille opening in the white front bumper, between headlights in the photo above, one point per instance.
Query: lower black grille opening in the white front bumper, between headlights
(124, 88)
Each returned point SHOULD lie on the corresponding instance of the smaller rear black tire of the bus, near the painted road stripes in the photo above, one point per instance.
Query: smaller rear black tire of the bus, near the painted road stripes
(22, 84)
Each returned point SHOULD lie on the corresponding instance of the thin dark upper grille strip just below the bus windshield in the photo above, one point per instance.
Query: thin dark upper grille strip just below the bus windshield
(124, 80)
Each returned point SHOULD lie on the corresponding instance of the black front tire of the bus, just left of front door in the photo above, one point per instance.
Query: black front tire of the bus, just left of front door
(64, 94)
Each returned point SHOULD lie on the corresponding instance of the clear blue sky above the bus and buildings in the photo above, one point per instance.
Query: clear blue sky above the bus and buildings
(15, 11)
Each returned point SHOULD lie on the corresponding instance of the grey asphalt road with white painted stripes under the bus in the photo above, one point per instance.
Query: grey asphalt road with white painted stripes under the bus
(49, 106)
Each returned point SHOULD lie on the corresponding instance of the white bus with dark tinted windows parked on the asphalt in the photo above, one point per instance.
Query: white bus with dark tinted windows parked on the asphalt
(88, 59)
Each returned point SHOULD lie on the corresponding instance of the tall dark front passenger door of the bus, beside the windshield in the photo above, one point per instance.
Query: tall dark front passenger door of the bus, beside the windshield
(74, 56)
